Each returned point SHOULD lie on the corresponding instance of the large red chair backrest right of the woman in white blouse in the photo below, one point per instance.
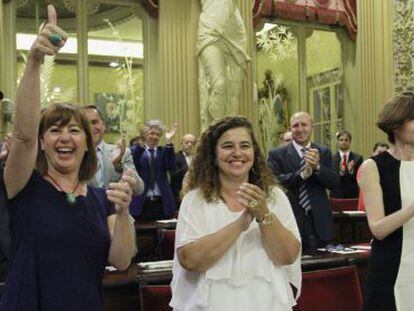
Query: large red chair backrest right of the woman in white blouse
(331, 289)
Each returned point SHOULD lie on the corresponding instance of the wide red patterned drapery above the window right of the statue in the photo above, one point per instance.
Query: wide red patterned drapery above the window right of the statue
(341, 13)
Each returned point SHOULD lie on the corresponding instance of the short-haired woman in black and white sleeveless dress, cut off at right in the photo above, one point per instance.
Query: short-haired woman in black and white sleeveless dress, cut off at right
(387, 185)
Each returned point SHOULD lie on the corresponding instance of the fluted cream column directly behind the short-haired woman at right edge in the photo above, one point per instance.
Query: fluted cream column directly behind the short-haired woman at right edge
(375, 58)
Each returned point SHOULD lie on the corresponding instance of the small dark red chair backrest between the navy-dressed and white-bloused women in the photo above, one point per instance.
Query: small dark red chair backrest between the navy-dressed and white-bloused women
(155, 297)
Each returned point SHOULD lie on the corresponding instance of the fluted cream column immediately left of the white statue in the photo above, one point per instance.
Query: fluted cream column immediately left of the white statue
(178, 20)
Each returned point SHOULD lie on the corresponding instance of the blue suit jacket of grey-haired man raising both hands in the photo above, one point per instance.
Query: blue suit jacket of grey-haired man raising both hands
(165, 162)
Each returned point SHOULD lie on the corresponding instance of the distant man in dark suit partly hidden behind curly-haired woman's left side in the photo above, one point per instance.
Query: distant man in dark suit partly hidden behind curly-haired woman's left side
(182, 161)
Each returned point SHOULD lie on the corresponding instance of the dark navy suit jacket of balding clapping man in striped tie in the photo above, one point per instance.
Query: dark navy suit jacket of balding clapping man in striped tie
(284, 161)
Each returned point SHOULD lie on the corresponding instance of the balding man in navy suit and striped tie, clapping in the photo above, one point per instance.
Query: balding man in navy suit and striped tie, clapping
(305, 170)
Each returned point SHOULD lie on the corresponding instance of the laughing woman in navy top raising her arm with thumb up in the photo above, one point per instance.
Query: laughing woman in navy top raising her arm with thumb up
(63, 233)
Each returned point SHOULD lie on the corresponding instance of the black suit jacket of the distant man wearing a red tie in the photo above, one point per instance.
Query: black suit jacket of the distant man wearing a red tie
(348, 186)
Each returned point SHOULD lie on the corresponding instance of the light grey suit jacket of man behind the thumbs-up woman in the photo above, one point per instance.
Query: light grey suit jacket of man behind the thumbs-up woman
(112, 175)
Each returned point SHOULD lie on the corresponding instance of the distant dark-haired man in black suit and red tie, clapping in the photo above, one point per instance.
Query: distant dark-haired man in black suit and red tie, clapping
(347, 164)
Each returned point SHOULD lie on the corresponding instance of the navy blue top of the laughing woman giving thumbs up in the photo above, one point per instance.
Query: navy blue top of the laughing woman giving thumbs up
(59, 251)
